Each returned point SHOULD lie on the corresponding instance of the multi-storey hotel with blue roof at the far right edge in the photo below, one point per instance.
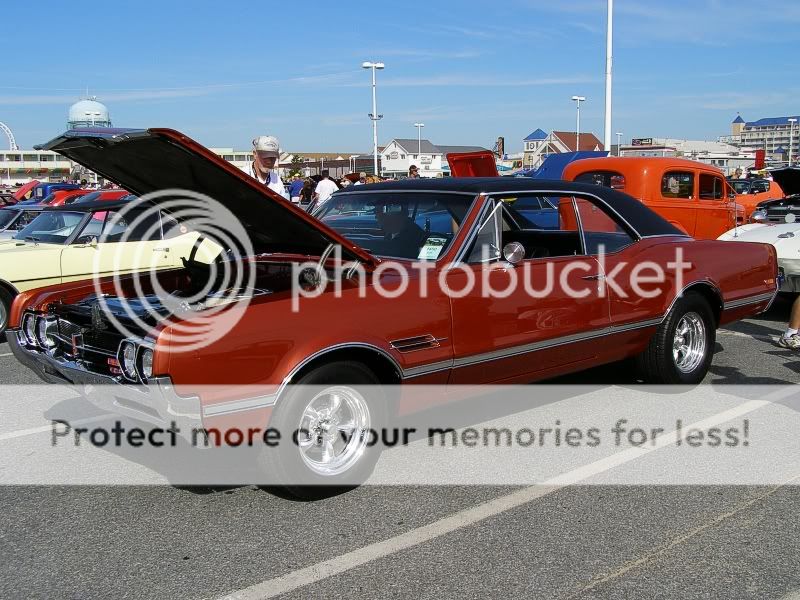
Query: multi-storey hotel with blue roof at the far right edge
(777, 136)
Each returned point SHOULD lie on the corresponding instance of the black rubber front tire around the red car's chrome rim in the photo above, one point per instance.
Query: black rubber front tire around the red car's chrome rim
(285, 463)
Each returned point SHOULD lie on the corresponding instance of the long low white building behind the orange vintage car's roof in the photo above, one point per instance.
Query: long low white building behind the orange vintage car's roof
(722, 155)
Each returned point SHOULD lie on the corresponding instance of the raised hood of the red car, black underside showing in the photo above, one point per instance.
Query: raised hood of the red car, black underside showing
(143, 161)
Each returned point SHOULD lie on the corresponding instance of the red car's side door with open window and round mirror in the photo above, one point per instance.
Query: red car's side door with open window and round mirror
(523, 319)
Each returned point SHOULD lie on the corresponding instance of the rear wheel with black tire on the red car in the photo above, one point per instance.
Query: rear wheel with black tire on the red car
(658, 364)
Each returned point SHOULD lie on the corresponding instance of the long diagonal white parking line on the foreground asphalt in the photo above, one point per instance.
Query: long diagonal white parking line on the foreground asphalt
(350, 560)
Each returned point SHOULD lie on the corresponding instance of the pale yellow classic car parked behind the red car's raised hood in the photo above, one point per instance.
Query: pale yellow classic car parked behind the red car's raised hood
(83, 241)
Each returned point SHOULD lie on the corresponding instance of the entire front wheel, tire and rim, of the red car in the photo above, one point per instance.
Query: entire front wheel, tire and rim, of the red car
(327, 420)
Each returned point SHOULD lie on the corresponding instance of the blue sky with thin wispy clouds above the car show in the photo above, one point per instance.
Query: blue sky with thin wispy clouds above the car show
(471, 71)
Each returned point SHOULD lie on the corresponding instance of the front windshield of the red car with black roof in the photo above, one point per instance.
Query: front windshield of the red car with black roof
(413, 226)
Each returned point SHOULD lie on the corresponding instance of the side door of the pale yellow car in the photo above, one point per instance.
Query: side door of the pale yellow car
(115, 242)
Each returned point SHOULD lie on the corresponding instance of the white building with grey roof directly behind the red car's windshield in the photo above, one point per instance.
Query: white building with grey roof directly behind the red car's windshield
(431, 160)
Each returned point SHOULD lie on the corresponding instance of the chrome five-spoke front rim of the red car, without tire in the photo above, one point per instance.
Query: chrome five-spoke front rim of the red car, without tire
(334, 430)
